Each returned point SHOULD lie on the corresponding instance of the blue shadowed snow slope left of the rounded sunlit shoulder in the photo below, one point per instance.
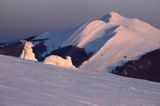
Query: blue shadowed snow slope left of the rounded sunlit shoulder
(52, 41)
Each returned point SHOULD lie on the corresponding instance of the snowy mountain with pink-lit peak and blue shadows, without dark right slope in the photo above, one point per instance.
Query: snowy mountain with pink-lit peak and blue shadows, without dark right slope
(113, 40)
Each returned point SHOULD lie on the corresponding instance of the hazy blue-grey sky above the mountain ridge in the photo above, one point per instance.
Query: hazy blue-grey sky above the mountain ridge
(19, 18)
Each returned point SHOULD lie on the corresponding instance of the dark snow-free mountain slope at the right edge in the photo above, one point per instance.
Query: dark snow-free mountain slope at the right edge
(147, 67)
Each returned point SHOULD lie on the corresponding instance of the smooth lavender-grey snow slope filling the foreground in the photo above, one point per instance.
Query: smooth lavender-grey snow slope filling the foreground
(27, 83)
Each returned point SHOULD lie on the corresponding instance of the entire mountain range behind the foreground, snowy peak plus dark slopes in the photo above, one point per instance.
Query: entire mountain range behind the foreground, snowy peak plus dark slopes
(111, 44)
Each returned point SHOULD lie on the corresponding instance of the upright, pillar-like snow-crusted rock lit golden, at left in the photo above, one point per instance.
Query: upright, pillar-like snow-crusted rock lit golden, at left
(27, 52)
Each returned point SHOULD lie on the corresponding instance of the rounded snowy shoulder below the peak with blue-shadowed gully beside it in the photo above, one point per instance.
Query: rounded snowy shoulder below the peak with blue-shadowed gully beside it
(91, 36)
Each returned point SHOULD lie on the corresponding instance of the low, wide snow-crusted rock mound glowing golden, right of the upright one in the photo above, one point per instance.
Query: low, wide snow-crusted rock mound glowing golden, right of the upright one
(59, 61)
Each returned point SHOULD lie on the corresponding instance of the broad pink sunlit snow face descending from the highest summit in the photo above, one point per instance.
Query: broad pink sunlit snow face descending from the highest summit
(131, 39)
